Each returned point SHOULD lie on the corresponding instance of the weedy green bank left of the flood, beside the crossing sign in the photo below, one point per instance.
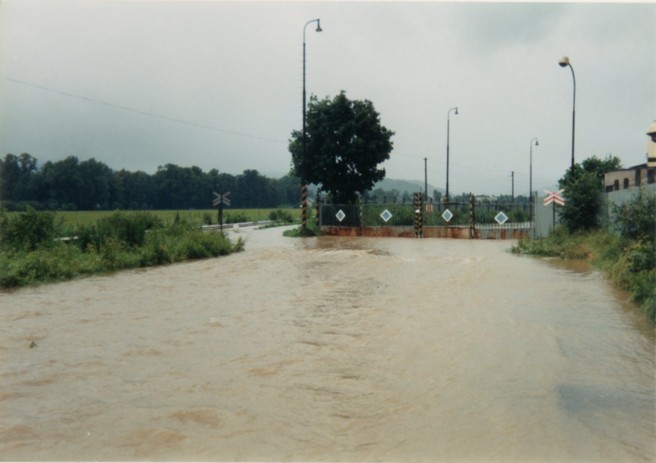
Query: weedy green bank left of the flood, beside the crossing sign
(32, 251)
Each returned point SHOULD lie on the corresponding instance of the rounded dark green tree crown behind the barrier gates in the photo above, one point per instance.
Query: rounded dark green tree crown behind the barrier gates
(344, 144)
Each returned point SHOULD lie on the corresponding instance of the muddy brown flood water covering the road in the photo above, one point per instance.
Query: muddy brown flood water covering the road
(338, 349)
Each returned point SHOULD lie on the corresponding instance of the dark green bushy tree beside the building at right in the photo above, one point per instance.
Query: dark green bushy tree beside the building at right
(583, 185)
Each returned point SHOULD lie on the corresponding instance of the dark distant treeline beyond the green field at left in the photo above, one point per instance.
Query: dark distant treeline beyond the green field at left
(71, 184)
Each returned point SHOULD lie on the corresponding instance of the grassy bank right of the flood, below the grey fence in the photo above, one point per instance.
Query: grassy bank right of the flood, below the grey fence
(630, 264)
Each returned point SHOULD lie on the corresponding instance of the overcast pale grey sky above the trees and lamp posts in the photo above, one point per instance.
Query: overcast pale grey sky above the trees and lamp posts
(138, 84)
